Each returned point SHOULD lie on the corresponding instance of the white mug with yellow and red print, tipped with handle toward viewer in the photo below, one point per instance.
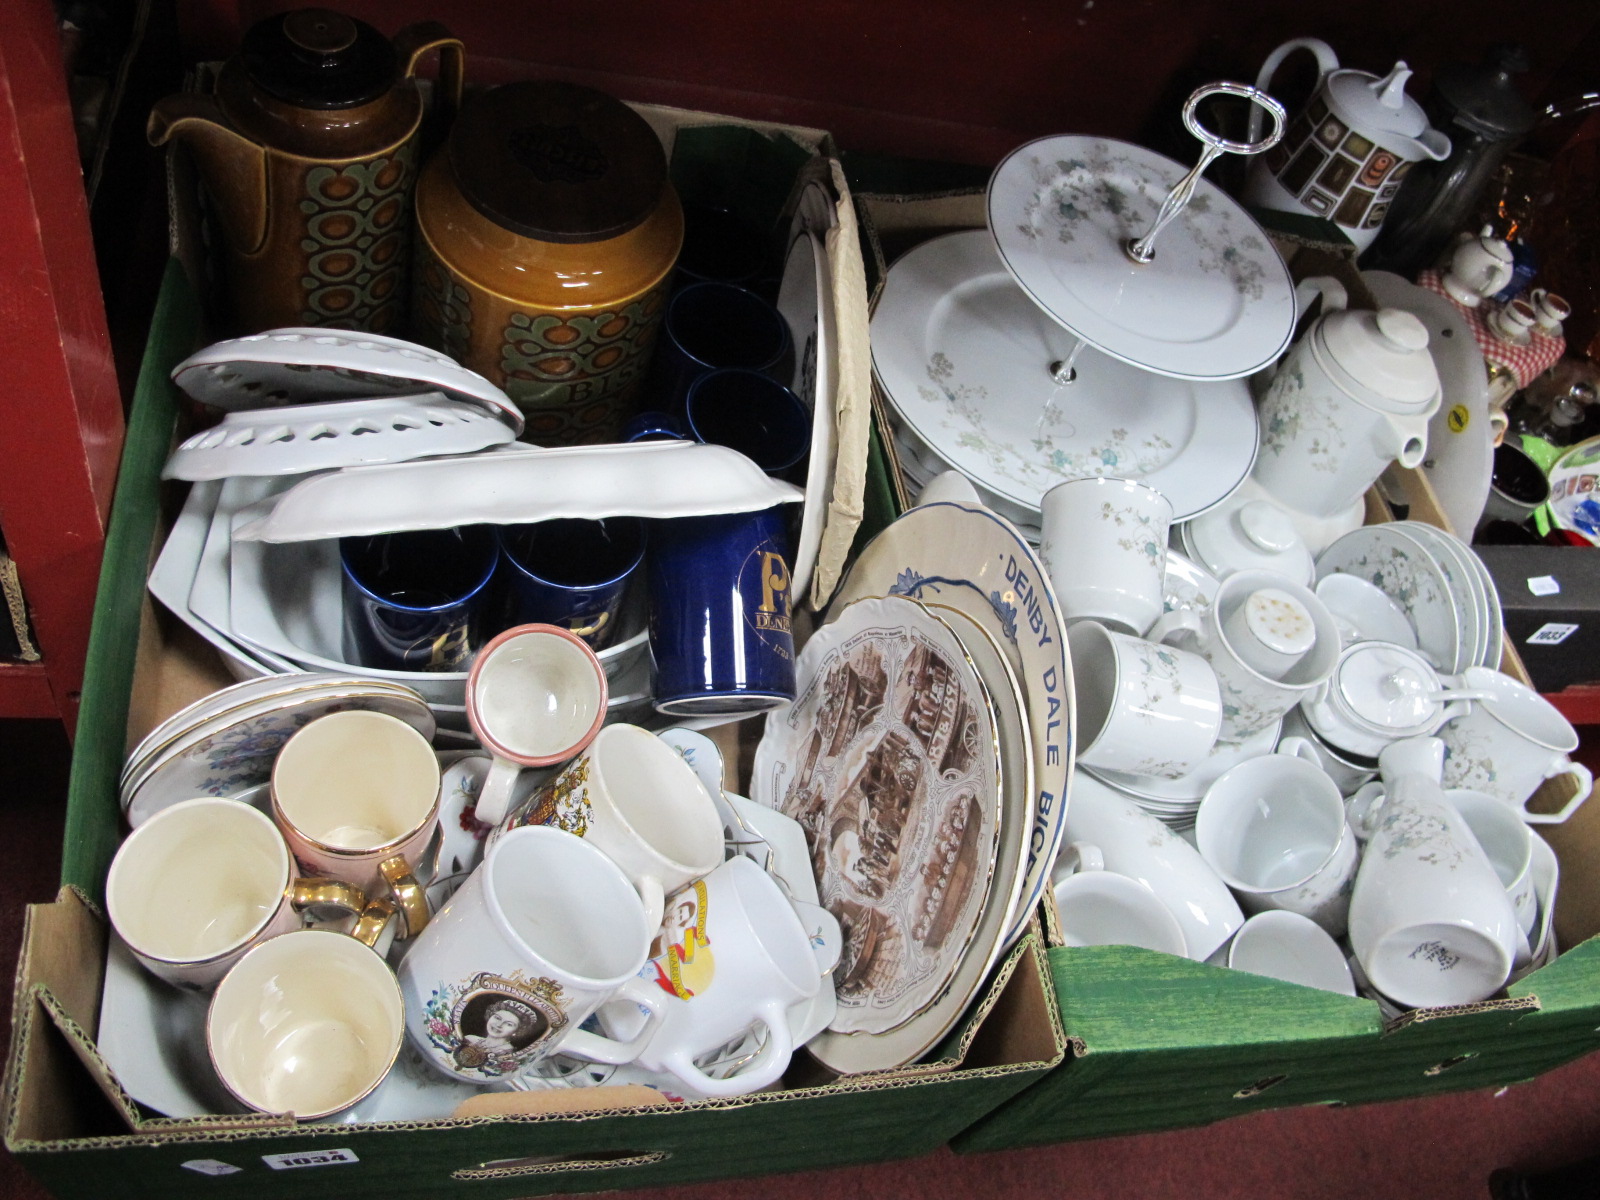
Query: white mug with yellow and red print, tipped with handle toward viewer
(730, 954)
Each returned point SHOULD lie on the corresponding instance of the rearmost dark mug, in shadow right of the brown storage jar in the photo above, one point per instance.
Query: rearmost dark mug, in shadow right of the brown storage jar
(710, 327)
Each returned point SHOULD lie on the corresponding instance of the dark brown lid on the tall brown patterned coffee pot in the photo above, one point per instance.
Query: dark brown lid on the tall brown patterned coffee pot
(314, 58)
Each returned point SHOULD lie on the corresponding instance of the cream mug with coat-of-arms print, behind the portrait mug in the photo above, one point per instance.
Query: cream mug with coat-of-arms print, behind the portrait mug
(634, 798)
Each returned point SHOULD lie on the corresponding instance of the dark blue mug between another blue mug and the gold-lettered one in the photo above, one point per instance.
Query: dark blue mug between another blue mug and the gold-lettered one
(570, 574)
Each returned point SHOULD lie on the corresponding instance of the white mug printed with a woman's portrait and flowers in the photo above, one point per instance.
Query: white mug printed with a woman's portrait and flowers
(535, 942)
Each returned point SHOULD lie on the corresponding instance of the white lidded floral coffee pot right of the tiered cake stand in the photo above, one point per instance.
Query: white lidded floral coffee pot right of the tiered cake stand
(1353, 396)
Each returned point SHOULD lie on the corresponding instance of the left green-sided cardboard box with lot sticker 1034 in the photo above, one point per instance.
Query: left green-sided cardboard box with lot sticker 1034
(70, 1122)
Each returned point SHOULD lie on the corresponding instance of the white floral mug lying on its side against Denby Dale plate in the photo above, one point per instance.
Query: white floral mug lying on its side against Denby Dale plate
(1143, 708)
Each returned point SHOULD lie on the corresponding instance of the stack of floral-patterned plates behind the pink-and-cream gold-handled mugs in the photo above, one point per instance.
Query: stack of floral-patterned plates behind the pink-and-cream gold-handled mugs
(236, 751)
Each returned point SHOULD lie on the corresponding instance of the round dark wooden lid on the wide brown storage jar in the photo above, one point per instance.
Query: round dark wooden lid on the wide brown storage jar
(558, 162)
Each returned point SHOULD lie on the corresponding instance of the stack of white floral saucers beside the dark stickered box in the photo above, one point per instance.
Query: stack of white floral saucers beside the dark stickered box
(1436, 580)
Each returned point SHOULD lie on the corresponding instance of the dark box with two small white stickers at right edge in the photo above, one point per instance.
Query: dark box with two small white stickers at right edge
(1551, 598)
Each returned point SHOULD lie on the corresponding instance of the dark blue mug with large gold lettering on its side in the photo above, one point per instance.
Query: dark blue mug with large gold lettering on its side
(719, 614)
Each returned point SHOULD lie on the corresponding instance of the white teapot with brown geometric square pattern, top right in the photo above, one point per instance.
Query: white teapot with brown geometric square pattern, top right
(1348, 154)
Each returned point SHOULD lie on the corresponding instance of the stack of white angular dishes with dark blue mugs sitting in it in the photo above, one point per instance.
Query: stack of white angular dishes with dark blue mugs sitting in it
(273, 609)
